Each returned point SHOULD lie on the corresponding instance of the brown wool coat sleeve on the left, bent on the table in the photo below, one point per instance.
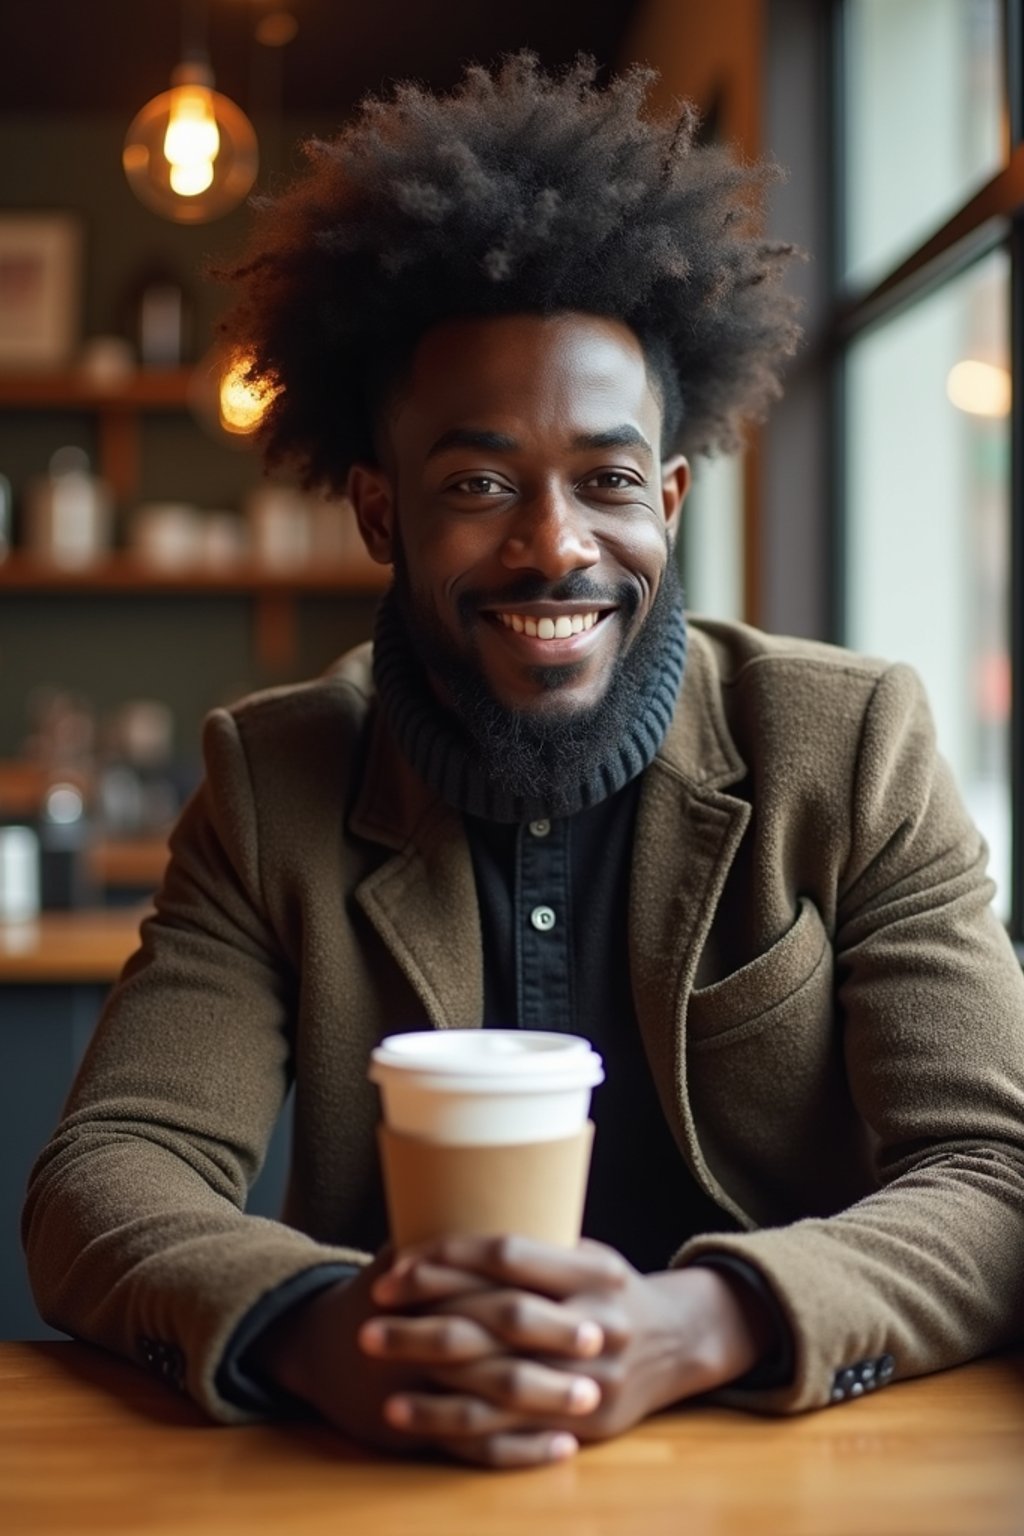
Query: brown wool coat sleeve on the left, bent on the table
(134, 1223)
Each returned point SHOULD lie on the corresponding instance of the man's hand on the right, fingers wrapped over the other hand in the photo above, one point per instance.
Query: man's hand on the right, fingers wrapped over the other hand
(652, 1340)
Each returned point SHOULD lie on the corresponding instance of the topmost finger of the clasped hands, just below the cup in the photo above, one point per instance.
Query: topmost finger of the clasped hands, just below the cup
(520, 1262)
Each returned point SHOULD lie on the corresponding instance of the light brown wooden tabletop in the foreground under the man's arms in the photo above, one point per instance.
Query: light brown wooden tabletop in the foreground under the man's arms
(90, 1445)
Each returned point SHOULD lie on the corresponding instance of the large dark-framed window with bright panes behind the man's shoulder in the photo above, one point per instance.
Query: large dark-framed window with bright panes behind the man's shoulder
(930, 194)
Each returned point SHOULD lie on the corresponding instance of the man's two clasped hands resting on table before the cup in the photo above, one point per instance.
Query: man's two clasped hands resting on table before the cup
(507, 1352)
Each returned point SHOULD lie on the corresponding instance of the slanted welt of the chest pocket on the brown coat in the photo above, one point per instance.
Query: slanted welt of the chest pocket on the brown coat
(745, 1001)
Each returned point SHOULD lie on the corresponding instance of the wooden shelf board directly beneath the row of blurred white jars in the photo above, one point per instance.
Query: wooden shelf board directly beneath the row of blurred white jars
(128, 575)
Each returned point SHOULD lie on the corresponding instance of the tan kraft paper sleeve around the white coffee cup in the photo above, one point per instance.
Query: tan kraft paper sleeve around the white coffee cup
(533, 1190)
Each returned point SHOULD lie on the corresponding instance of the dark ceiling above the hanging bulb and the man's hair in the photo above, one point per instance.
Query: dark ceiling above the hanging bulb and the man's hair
(113, 56)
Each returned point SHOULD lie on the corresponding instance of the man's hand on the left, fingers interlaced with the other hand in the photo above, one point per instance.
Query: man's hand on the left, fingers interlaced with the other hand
(317, 1352)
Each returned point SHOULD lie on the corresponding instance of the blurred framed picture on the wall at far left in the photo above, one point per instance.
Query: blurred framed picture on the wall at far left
(41, 290)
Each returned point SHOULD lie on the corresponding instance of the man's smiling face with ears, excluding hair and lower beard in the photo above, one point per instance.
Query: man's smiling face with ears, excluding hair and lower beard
(524, 505)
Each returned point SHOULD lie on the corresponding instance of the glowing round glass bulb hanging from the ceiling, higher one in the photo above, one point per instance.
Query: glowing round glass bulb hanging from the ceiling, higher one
(191, 154)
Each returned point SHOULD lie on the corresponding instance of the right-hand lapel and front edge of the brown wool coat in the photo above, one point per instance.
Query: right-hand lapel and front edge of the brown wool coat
(689, 833)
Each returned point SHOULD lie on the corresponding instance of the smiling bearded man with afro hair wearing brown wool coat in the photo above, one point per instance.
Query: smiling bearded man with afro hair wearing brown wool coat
(733, 862)
